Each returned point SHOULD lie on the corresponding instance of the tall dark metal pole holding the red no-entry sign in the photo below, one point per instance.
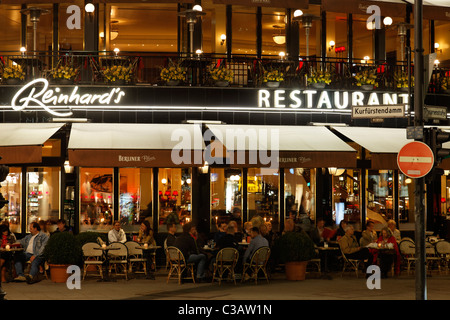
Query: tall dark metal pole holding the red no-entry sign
(419, 204)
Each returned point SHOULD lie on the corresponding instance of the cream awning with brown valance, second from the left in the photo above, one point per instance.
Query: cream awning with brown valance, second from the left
(136, 145)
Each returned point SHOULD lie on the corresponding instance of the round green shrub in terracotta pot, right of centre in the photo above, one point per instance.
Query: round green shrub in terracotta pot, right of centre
(294, 249)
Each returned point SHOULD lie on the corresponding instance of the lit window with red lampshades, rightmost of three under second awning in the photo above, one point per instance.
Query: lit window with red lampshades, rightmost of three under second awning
(174, 189)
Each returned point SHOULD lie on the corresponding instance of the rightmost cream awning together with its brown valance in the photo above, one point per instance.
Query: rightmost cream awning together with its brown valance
(383, 143)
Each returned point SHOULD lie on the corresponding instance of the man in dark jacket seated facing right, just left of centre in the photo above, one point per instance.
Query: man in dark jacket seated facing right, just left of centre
(187, 245)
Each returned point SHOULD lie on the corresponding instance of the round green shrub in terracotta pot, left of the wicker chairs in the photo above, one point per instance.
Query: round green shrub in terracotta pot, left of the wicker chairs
(61, 251)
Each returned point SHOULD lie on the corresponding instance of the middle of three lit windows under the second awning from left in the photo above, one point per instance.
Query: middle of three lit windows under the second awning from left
(135, 198)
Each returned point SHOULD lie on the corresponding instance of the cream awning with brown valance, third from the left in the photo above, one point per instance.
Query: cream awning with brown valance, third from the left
(283, 146)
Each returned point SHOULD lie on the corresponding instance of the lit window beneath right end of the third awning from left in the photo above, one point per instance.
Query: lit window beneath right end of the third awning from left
(346, 197)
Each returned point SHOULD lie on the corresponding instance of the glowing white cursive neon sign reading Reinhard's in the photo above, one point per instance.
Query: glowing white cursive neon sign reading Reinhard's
(52, 99)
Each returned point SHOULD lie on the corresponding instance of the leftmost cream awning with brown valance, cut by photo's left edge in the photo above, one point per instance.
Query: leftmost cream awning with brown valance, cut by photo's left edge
(22, 142)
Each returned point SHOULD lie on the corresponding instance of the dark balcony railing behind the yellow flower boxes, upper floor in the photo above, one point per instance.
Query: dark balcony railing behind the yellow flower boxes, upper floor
(248, 69)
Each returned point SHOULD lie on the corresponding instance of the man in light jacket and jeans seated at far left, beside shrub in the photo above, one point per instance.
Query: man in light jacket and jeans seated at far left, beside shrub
(34, 245)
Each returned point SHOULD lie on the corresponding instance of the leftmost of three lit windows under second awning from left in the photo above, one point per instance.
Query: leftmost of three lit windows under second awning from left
(96, 199)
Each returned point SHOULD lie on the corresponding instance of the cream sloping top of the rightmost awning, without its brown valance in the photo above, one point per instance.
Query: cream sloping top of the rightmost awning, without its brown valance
(376, 140)
